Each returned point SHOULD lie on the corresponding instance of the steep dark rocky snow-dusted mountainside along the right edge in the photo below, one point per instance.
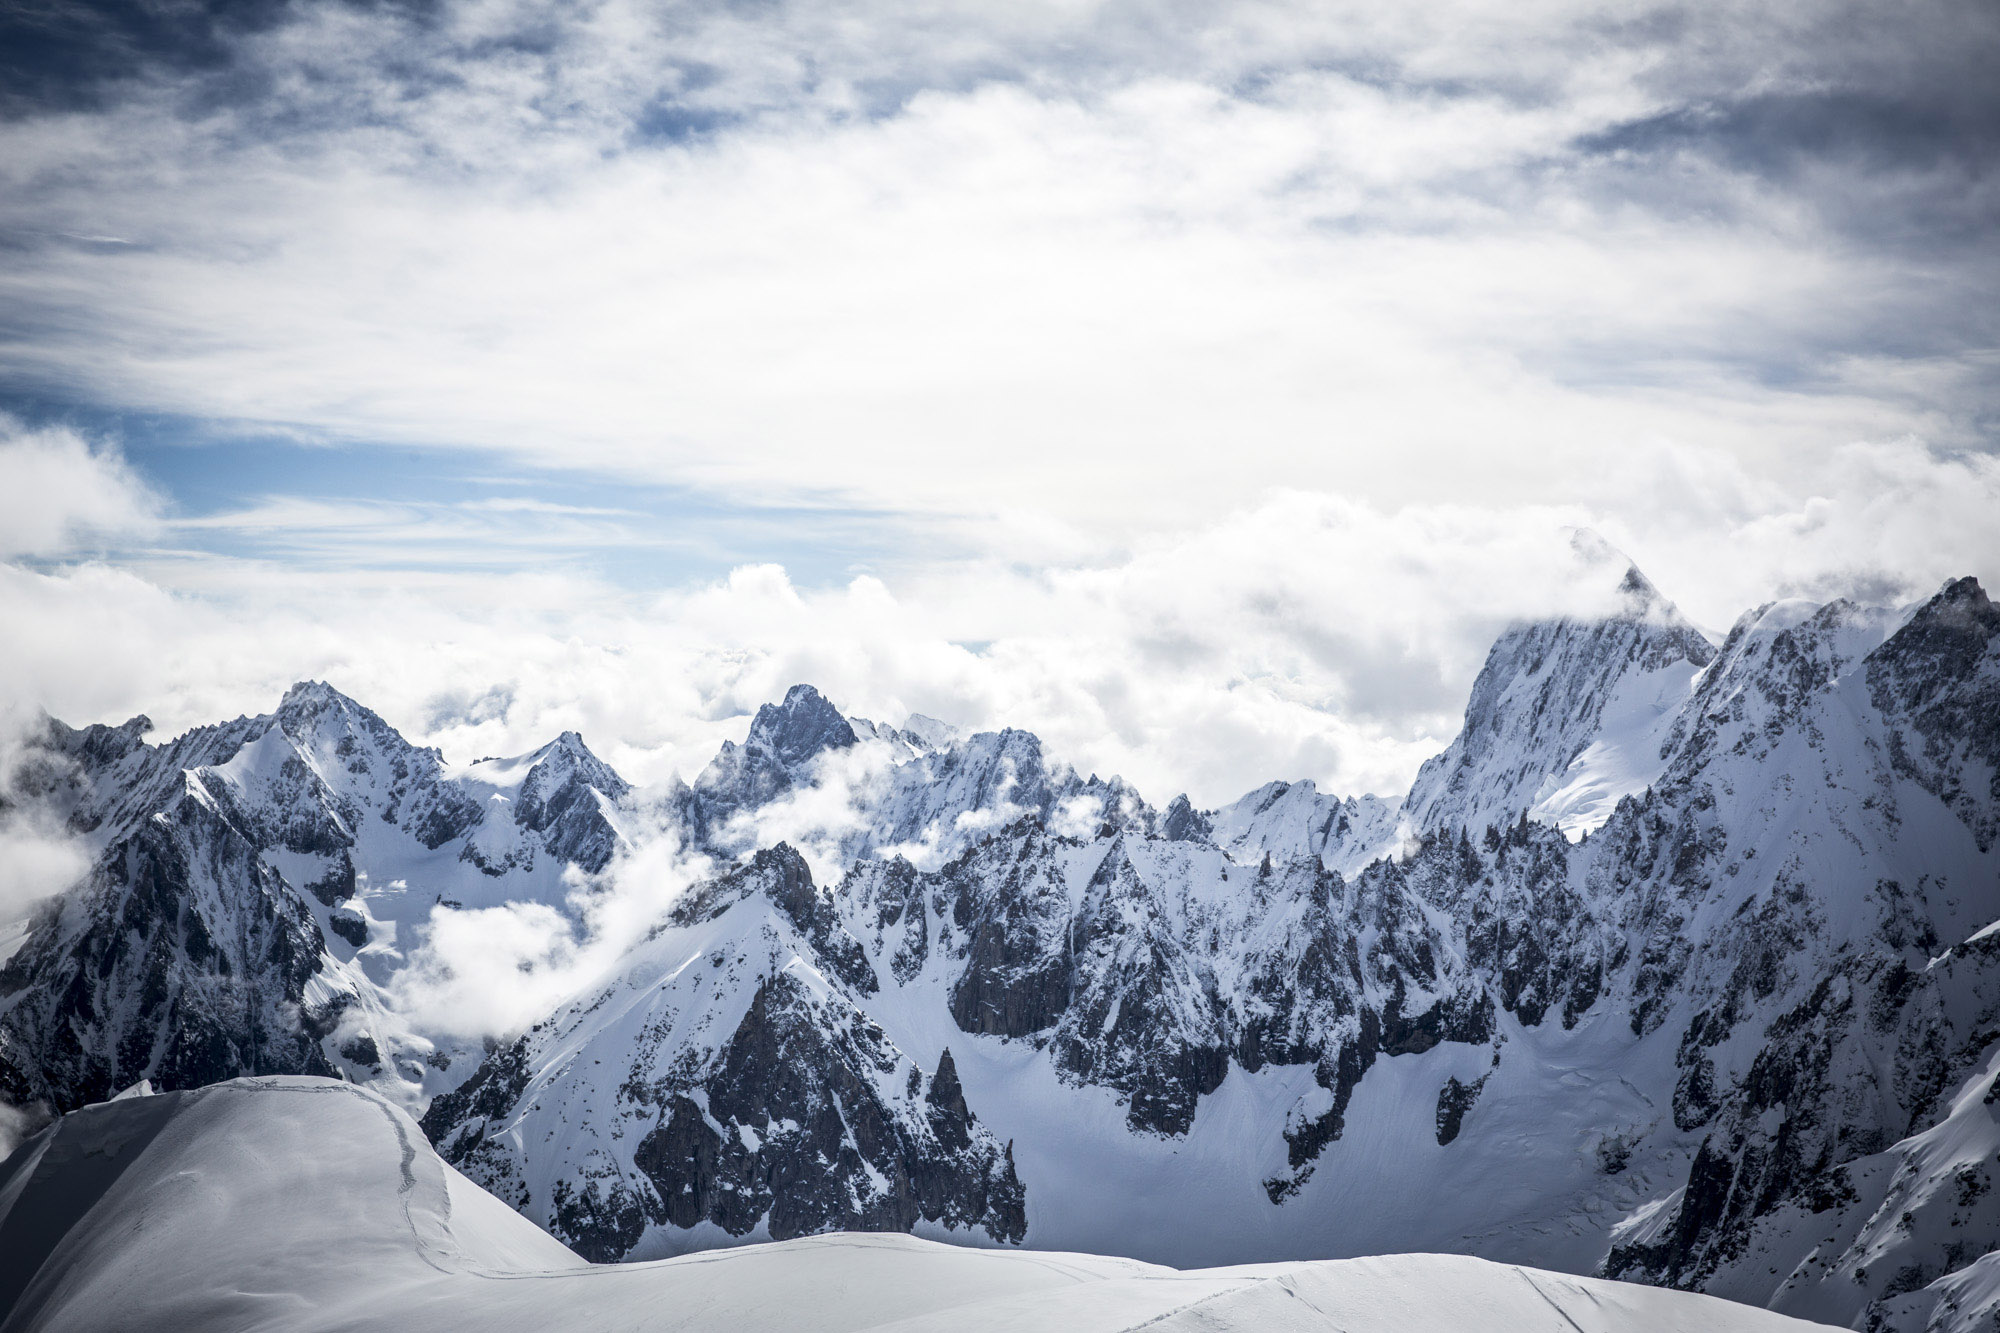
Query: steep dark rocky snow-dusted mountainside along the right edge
(1819, 1048)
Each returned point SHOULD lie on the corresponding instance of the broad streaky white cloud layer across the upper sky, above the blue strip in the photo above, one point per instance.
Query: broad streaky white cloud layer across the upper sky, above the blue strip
(1041, 281)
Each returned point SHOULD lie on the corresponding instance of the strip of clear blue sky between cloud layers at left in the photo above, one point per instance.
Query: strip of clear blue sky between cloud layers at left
(239, 493)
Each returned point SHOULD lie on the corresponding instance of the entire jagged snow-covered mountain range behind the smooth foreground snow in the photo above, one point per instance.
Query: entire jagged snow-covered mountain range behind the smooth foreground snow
(1677, 966)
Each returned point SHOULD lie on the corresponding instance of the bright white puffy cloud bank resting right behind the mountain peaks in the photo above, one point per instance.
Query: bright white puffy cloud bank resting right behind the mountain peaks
(1305, 635)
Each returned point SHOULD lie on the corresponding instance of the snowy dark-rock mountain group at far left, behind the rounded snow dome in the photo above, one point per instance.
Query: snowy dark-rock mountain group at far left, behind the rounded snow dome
(255, 888)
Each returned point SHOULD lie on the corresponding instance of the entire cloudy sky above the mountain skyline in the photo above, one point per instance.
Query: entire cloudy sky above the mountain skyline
(1199, 385)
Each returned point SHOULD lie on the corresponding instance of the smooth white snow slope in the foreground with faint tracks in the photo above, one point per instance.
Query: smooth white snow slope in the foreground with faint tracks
(307, 1204)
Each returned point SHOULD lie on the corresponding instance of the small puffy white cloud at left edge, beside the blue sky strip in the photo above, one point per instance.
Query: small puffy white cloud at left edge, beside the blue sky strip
(59, 493)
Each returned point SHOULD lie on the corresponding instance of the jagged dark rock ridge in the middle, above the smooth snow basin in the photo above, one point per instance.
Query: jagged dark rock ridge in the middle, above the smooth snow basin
(1121, 978)
